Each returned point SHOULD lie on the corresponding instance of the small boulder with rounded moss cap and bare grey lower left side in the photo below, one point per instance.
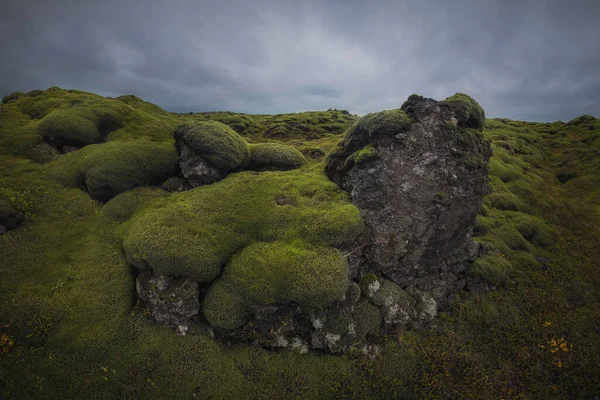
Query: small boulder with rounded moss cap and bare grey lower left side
(208, 150)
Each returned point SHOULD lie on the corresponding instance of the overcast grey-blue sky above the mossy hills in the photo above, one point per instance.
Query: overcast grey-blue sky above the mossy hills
(532, 60)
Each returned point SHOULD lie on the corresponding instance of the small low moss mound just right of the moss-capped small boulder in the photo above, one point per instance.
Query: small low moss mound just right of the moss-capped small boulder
(275, 156)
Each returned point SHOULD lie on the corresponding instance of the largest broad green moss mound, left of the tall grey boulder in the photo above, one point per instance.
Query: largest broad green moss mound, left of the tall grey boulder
(194, 233)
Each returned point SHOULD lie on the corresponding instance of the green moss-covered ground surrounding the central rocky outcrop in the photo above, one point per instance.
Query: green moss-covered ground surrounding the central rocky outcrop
(70, 327)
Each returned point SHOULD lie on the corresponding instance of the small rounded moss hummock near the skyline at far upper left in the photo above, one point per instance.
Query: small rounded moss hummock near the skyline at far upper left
(70, 127)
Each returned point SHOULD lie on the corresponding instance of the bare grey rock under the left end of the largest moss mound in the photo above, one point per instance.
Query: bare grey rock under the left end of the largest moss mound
(172, 301)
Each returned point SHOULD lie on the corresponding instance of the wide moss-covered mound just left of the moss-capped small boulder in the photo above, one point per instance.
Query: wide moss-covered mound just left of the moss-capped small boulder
(114, 167)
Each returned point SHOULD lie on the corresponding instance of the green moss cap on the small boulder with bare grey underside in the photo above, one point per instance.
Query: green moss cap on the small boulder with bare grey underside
(216, 142)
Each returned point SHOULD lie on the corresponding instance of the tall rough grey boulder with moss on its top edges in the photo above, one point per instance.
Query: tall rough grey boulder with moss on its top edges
(418, 175)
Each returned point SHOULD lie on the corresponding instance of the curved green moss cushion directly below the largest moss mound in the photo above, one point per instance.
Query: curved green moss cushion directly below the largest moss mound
(267, 273)
